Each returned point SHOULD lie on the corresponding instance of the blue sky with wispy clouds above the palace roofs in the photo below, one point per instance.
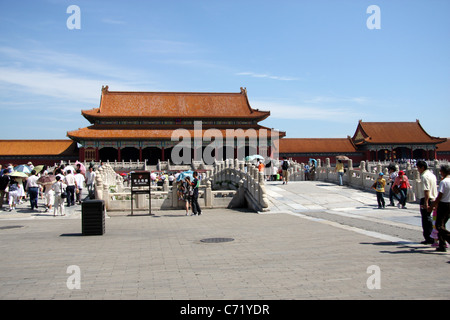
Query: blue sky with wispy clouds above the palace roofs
(314, 64)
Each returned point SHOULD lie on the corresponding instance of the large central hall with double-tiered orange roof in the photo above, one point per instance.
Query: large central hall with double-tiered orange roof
(148, 125)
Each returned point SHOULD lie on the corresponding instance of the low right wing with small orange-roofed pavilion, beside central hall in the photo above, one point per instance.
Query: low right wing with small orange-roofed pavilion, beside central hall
(372, 141)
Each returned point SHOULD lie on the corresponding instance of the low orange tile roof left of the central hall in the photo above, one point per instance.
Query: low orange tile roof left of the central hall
(36, 147)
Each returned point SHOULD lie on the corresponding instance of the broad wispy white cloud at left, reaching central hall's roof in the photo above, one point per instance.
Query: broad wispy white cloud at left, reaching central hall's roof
(63, 75)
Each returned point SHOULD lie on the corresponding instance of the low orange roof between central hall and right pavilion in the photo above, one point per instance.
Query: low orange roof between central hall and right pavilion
(316, 145)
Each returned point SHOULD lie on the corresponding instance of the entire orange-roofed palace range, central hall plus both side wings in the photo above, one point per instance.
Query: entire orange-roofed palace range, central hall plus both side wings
(149, 126)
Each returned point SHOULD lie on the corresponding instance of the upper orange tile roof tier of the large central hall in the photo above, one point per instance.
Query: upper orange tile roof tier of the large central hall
(174, 105)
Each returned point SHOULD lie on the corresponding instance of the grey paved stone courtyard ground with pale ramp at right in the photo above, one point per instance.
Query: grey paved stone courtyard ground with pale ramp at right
(273, 256)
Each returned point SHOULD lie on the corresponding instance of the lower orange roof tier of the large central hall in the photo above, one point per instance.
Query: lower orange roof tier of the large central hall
(108, 132)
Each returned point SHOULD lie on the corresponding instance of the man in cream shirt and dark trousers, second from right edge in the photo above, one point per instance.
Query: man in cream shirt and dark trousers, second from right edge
(427, 193)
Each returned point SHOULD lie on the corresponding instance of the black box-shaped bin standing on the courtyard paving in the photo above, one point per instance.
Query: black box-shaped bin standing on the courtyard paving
(93, 217)
